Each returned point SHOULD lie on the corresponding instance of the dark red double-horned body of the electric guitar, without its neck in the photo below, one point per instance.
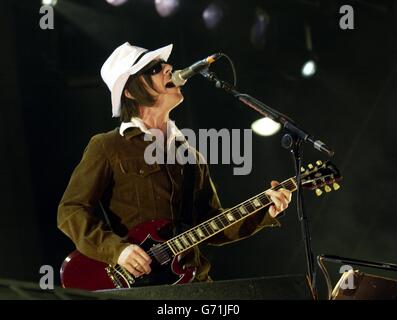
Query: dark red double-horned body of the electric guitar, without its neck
(80, 272)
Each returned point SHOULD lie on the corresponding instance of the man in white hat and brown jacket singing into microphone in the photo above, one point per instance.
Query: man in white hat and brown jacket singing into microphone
(114, 173)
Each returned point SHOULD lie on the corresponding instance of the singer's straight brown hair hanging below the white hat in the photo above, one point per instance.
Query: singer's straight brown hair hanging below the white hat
(135, 85)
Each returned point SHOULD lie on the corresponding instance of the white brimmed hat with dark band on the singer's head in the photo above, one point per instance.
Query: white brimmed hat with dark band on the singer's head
(123, 62)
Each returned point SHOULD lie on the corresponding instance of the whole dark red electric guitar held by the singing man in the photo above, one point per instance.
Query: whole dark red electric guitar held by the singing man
(79, 271)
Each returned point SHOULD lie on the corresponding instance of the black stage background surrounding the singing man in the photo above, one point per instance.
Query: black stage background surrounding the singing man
(53, 100)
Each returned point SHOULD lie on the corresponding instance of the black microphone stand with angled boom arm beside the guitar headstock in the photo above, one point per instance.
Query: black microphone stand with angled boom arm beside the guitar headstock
(292, 141)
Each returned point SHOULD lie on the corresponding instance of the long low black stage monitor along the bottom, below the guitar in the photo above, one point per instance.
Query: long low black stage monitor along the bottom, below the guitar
(293, 287)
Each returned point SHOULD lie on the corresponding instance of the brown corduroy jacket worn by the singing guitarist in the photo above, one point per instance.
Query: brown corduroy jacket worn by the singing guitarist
(113, 171)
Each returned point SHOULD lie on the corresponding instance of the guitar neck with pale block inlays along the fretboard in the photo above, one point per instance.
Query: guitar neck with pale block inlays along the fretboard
(224, 220)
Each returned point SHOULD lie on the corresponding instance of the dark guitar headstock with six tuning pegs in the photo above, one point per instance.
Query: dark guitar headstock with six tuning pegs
(320, 177)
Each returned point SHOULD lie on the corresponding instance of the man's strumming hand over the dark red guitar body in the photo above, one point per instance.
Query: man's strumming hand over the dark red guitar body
(135, 260)
